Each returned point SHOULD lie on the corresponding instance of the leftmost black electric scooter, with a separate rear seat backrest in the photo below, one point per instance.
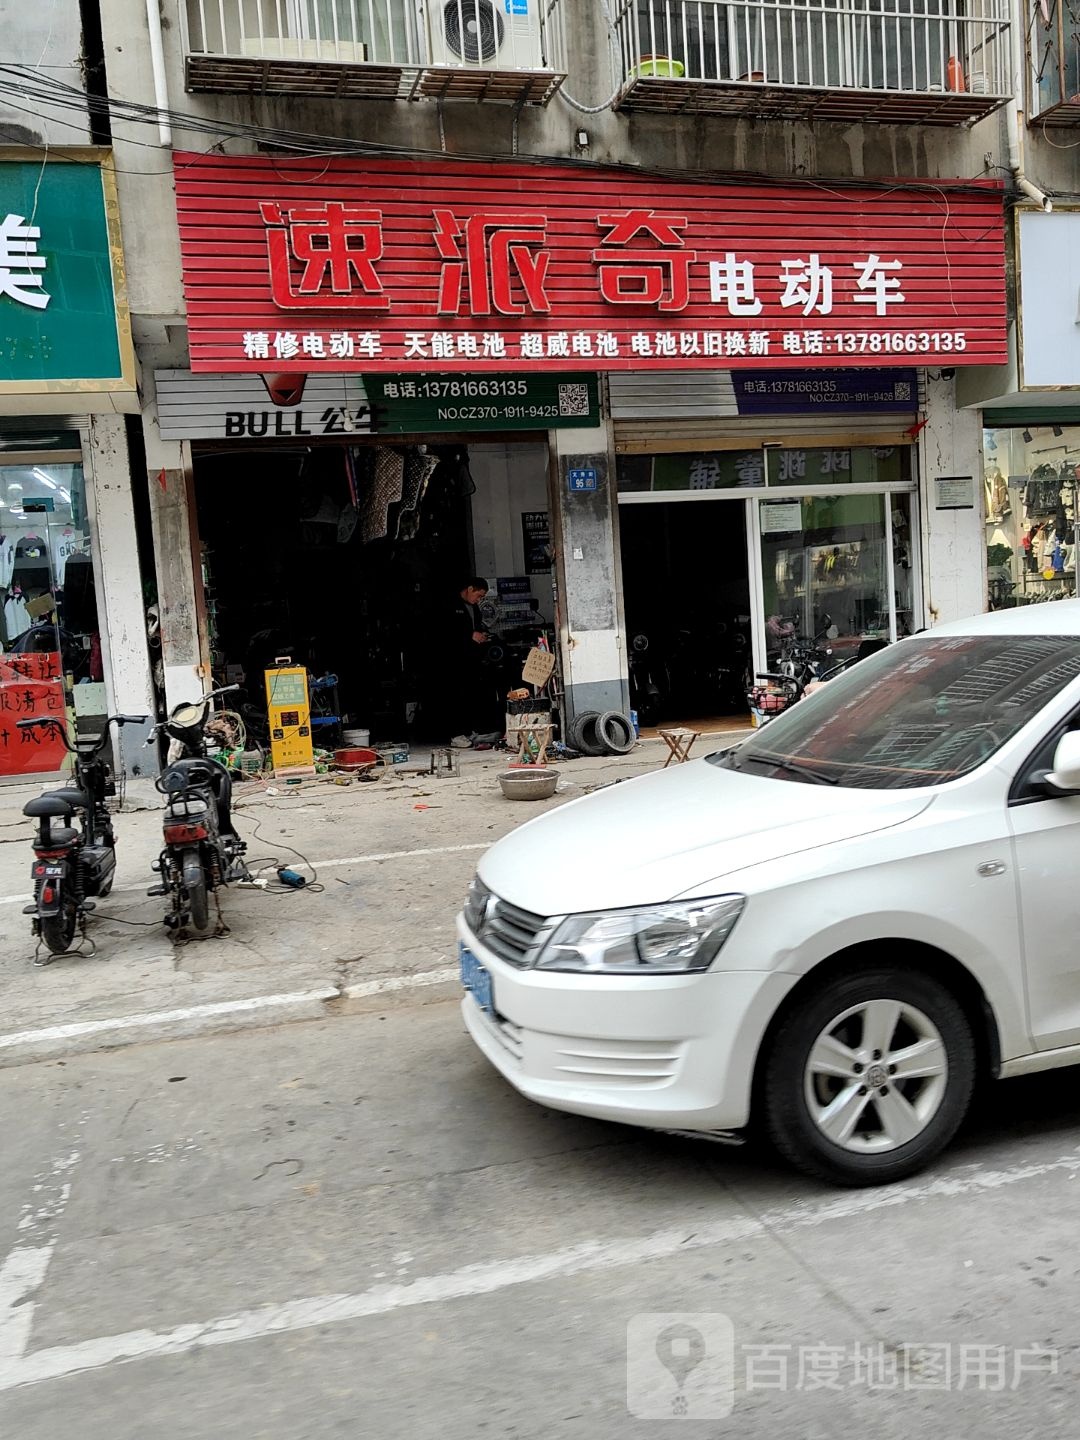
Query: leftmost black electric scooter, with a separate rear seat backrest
(73, 866)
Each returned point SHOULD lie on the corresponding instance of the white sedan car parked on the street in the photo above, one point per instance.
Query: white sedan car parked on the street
(827, 931)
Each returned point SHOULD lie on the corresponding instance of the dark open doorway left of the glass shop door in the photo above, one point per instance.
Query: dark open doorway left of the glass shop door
(688, 610)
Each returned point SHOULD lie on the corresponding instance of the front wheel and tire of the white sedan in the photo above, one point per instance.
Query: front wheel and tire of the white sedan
(814, 1097)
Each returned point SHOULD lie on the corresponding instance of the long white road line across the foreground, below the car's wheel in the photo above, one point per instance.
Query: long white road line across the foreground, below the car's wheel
(487, 1279)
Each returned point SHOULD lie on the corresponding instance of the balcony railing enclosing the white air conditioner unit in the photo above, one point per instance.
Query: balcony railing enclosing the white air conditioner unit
(384, 50)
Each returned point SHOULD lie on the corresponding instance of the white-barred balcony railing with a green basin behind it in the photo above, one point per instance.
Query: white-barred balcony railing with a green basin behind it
(941, 63)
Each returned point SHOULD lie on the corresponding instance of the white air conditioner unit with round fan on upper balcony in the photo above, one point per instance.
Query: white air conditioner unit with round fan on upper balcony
(489, 35)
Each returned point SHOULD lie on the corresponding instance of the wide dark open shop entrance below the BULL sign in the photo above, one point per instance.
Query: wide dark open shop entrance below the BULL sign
(351, 559)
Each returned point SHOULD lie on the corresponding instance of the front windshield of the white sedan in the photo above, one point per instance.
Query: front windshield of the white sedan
(921, 714)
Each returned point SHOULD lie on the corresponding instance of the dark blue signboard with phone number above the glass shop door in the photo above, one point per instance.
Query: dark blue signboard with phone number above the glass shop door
(826, 392)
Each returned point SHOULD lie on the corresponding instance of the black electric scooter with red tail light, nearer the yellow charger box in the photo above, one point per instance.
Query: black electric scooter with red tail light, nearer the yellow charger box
(202, 852)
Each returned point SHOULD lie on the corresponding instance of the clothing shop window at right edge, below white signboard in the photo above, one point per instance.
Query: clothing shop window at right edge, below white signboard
(1032, 476)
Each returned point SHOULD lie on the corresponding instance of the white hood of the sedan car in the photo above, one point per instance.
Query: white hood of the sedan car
(675, 832)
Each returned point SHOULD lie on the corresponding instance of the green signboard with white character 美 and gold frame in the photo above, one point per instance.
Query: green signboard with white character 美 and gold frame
(64, 323)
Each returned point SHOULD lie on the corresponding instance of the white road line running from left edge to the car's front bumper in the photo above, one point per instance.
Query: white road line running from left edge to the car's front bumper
(225, 1010)
